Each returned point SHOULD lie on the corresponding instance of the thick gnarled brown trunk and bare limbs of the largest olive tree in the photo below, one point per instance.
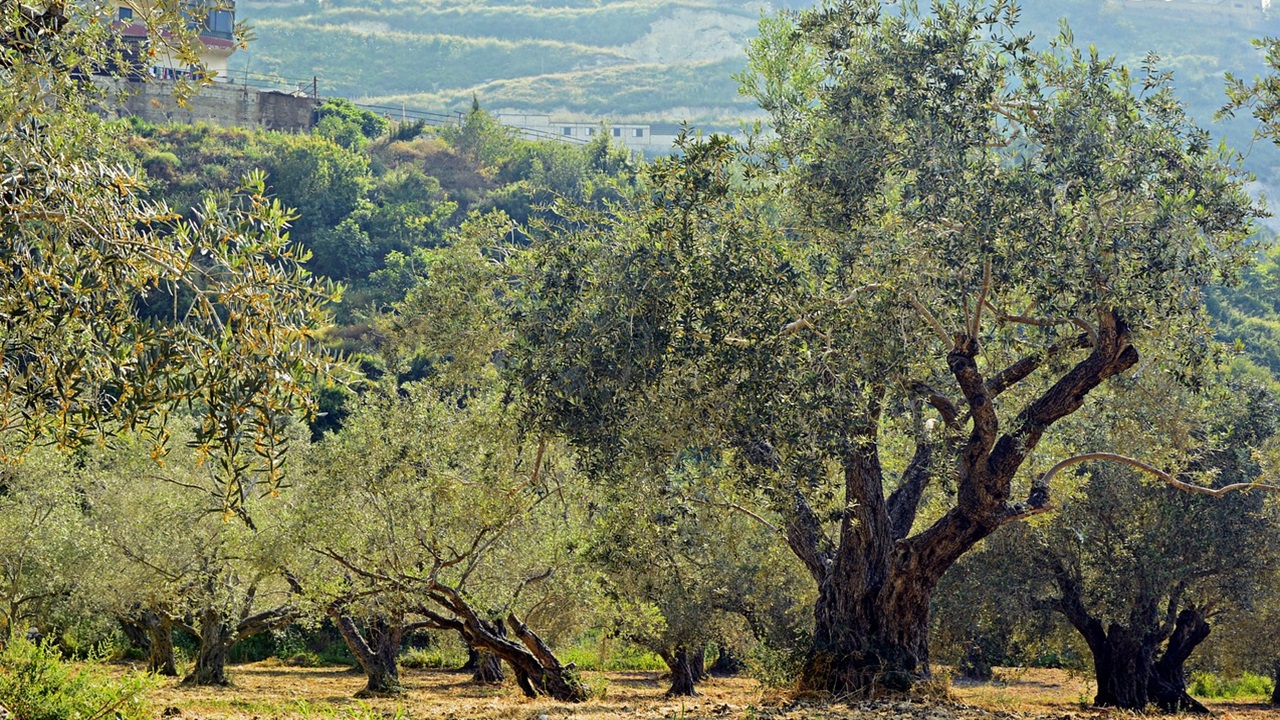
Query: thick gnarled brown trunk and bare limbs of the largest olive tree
(871, 619)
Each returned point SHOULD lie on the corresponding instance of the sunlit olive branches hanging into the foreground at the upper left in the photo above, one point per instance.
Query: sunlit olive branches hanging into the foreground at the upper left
(84, 247)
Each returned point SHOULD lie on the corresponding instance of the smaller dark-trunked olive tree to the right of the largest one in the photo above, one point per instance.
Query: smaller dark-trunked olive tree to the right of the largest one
(1145, 573)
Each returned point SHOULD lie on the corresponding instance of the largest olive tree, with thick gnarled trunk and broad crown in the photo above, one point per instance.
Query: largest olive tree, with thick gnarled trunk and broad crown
(953, 243)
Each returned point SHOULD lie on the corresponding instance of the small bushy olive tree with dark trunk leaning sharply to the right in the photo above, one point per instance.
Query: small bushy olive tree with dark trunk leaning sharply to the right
(431, 507)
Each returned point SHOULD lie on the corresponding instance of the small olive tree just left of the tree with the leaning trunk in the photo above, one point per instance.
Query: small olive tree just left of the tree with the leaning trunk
(177, 559)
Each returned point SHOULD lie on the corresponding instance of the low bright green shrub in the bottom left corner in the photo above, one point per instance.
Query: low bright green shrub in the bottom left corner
(38, 685)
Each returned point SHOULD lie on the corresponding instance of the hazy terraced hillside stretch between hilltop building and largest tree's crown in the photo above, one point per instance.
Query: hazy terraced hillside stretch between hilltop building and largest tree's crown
(633, 58)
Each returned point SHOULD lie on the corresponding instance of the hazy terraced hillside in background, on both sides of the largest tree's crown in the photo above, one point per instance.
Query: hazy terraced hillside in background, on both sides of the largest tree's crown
(647, 60)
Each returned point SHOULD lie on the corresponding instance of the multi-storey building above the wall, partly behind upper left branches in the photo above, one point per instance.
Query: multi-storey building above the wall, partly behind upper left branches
(216, 26)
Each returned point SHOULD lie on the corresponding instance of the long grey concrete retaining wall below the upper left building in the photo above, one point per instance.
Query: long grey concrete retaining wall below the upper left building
(221, 104)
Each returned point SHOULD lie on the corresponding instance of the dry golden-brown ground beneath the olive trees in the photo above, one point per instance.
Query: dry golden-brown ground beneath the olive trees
(267, 691)
